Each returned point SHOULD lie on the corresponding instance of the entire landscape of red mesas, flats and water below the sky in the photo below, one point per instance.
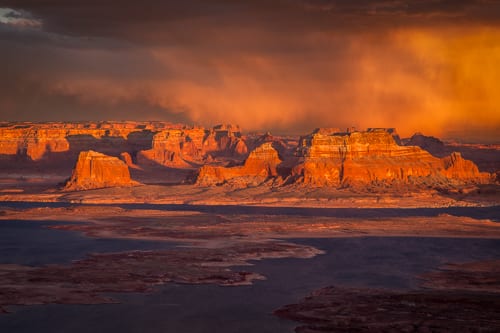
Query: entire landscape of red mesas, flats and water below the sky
(333, 231)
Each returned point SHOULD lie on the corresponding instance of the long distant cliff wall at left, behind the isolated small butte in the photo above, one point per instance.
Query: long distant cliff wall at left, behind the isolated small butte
(160, 143)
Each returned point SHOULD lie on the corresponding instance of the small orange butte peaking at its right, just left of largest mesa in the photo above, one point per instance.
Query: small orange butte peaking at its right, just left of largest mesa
(260, 165)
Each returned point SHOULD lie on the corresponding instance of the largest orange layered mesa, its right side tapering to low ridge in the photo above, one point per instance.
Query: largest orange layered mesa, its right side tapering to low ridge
(374, 157)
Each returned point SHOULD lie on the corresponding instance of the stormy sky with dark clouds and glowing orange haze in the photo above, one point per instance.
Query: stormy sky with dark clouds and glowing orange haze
(285, 66)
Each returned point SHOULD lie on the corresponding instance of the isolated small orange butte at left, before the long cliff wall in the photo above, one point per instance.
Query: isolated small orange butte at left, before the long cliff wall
(95, 170)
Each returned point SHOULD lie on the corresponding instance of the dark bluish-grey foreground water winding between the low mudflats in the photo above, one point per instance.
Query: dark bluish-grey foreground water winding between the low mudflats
(382, 262)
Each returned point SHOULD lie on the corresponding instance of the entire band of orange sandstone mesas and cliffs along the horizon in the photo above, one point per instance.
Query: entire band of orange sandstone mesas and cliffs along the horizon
(224, 155)
